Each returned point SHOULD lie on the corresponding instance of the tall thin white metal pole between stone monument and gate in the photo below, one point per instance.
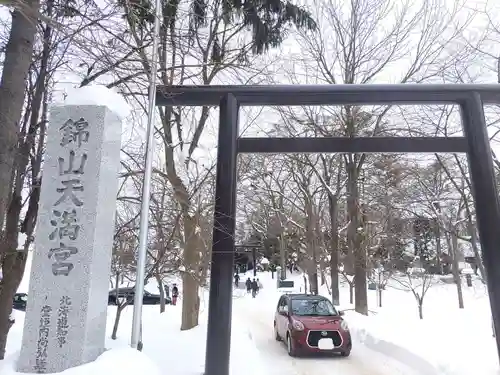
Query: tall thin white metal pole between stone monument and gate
(146, 182)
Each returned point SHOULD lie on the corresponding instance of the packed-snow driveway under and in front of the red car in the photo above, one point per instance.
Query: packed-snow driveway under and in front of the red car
(259, 323)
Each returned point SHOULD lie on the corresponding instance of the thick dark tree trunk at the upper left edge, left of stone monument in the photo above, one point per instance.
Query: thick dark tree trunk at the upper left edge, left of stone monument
(18, 55)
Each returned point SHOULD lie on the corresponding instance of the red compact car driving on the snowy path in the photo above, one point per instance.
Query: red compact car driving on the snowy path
(311, 324)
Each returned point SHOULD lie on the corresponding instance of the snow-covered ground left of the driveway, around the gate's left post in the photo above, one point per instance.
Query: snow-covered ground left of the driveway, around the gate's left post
(165, 347)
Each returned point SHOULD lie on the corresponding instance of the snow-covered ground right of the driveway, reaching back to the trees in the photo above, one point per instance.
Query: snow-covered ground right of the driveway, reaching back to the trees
(450, 340)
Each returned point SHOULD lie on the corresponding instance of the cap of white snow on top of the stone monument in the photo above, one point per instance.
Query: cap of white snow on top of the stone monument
(98, 95)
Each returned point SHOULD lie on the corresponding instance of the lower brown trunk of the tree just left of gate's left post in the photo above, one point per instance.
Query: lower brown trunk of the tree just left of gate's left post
(190, 284)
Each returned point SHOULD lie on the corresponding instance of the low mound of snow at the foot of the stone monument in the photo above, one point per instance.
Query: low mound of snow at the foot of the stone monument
(122, 361)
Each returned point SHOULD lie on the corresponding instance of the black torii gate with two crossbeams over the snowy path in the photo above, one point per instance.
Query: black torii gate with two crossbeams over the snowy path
(475, 143)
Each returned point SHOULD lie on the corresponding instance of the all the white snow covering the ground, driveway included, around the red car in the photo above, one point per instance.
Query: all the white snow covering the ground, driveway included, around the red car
(391, 341)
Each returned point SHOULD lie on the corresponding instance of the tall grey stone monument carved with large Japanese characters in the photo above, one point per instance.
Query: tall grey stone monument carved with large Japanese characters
(65, 323)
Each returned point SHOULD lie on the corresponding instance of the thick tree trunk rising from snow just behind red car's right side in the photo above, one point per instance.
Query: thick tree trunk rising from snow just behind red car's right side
(358, 251)
